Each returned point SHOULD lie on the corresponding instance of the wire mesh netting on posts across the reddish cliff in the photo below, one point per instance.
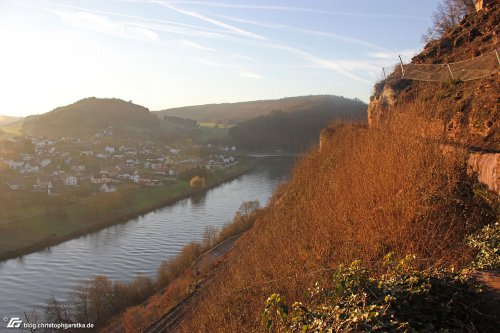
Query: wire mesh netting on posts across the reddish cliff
(472, 69)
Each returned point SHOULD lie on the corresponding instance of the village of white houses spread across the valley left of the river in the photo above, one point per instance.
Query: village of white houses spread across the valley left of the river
(61, 166)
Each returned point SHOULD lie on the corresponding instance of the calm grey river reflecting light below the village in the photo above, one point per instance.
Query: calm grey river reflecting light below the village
(136, 247)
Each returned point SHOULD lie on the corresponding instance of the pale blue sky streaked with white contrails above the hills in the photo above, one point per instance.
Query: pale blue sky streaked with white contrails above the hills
(163, 54)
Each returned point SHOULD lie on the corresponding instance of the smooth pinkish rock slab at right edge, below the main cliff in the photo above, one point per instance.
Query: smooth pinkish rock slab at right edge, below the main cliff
(487, 168)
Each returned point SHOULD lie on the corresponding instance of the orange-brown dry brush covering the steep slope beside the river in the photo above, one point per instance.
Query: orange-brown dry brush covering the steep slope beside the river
(393, 188)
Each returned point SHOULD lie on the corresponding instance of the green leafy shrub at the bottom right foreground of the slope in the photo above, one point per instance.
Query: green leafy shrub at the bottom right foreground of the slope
(403, 299)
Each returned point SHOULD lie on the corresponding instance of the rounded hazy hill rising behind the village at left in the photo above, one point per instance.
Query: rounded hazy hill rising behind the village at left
(89, 116)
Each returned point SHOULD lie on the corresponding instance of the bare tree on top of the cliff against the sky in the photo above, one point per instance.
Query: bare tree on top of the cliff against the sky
(448, 14)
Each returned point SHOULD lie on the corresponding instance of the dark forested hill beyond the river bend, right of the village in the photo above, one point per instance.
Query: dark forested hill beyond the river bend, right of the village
(295, 131)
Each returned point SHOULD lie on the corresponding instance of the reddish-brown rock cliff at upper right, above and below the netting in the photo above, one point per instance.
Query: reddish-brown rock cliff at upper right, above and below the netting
(465, 113)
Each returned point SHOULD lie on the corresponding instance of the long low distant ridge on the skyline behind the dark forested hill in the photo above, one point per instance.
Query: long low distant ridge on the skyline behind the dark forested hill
(232, 113)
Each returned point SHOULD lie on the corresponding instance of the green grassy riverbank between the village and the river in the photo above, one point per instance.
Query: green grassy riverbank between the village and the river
(40, 232)
